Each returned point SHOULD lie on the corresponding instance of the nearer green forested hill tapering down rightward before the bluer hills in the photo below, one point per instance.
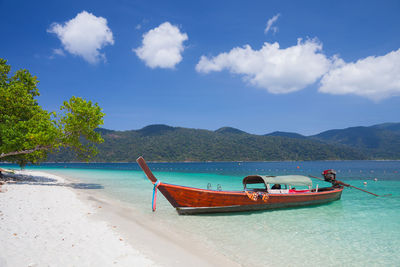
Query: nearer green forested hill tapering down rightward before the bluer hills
(166, 143)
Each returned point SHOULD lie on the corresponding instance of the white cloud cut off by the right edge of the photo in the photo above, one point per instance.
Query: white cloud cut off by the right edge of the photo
(374, 77)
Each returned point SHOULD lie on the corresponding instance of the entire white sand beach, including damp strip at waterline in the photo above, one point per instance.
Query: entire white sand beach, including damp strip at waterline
(46, 222)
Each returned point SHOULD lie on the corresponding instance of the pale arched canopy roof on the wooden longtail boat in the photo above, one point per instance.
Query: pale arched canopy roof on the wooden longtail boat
(284, 179)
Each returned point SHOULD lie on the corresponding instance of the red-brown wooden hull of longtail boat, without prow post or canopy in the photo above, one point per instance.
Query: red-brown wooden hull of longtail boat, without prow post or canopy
(188, 200)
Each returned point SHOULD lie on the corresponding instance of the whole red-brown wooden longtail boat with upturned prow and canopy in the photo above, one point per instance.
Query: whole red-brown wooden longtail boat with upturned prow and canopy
(271, 192)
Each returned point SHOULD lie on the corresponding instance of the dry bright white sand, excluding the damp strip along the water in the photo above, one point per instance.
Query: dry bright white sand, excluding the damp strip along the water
(45, 224)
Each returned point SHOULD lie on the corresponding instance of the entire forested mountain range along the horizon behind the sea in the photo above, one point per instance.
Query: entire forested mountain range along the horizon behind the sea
(167, 143)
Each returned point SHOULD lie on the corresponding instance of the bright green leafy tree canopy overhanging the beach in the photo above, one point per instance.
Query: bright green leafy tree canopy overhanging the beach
(28, 132)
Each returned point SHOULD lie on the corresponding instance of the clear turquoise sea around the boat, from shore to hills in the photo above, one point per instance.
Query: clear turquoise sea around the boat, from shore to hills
(358, 230)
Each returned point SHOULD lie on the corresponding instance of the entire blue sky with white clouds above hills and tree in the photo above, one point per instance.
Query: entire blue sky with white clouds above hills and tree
(207, 64)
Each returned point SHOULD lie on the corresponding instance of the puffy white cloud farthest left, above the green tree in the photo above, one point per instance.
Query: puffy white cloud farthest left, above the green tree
(85, 35)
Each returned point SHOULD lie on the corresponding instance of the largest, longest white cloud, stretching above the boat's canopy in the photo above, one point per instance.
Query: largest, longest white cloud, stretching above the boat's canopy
(277, 70)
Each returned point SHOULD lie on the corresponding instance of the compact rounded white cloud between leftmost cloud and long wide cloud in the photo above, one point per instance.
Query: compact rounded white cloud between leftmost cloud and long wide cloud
(162, 46)
